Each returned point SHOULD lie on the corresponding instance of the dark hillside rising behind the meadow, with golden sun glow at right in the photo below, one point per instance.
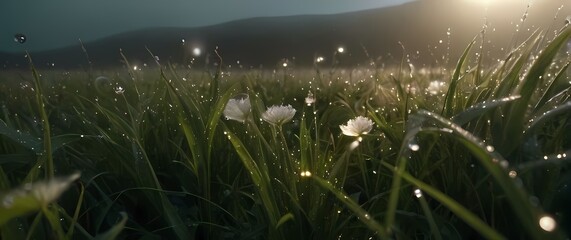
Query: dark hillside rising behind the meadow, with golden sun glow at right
(420, 26)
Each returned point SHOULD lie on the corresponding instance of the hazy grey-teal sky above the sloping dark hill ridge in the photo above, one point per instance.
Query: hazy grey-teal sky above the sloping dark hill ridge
(57, 23)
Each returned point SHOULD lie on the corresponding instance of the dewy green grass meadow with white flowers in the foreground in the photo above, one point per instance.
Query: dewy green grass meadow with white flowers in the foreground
(478, 150)
